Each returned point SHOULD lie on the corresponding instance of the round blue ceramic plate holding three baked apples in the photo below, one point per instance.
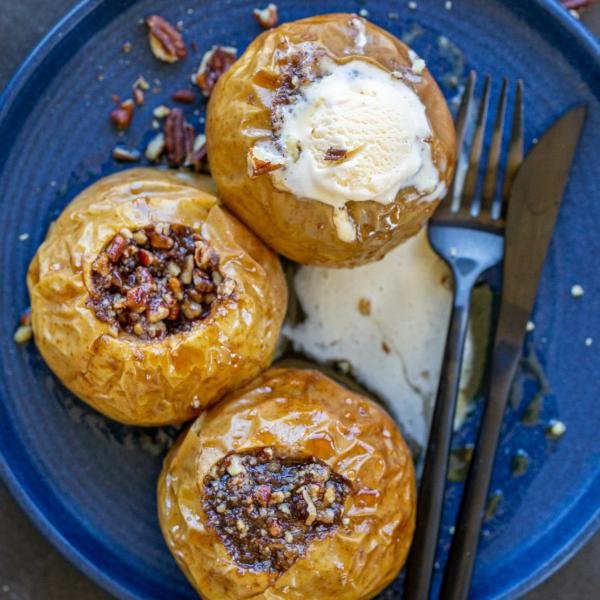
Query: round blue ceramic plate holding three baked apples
(89, 483)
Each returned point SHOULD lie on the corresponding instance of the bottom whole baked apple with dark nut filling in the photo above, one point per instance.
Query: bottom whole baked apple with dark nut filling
(292, 487)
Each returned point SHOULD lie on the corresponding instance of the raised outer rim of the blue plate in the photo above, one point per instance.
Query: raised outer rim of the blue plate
(48, 43)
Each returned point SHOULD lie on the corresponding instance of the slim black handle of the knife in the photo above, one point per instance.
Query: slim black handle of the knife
(461, 558)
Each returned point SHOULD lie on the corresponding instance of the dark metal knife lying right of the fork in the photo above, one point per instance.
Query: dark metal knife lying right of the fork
(534, 203)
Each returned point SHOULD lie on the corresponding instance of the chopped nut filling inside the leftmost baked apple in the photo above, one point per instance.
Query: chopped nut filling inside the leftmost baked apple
(158, 280)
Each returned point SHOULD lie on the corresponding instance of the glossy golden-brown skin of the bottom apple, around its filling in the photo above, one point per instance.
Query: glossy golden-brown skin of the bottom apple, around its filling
(302, 412)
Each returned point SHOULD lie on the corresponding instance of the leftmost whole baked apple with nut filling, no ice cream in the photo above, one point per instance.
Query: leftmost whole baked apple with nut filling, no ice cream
(150, 301)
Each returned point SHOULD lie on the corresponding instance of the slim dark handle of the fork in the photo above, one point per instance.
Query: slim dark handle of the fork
(431, 493)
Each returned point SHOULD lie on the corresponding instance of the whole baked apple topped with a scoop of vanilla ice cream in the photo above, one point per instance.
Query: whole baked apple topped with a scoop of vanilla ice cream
(331, 140)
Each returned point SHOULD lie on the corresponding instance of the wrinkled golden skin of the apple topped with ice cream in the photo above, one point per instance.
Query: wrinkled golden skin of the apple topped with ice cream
(303, 229)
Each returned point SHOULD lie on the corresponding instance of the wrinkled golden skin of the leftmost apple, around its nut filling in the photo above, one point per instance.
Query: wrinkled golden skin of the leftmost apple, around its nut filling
(161, 381)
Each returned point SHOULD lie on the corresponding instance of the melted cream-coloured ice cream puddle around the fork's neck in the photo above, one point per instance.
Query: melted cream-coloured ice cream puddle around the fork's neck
(396, 349)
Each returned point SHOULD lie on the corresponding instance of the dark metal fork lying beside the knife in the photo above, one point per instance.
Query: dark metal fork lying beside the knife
(467, 232)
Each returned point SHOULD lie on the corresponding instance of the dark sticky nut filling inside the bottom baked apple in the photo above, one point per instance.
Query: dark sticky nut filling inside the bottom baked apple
(267, 509)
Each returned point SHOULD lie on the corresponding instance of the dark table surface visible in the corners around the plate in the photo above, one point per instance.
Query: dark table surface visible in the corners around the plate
(30, 568)
